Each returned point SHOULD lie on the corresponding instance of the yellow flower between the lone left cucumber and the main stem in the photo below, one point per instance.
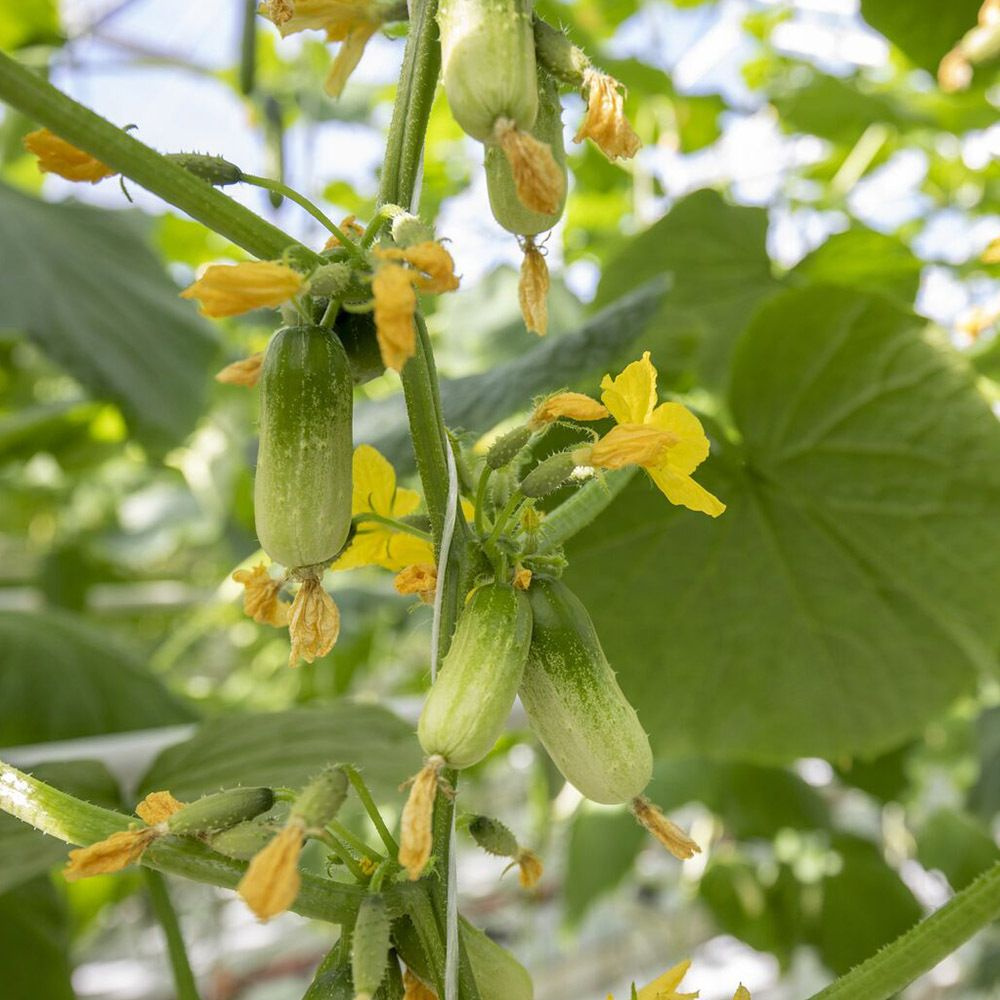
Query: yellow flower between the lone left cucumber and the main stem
(375, 492)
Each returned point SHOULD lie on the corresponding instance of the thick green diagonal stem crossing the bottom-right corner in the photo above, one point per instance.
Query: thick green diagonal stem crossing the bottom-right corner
(923, 946)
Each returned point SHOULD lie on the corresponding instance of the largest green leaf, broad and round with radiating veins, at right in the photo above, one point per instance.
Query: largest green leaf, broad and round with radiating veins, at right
(848, 593)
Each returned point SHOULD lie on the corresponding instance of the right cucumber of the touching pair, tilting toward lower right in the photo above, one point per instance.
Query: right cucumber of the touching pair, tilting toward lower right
(574, 703)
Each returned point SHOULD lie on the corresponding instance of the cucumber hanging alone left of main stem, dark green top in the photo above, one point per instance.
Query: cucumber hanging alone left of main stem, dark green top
(302, 492)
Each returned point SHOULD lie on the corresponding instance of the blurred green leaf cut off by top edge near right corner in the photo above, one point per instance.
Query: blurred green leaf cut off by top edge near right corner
(923, 29)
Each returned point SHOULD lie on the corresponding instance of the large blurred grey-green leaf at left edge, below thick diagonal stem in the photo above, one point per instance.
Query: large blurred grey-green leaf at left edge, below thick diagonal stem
(84, 284)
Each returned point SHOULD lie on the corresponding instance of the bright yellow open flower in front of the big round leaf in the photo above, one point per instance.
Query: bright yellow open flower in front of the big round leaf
(668, 440)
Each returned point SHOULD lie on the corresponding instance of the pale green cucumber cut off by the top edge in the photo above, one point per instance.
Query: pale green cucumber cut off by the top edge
(488, 63)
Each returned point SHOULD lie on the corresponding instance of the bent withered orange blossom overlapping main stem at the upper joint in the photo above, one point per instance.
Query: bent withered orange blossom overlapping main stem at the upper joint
(431, 269)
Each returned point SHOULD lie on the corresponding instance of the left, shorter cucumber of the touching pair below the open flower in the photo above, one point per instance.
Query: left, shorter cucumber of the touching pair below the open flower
(468, 704)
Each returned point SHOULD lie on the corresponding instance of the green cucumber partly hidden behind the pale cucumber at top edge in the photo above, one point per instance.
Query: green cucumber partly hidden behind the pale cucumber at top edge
(507, 208)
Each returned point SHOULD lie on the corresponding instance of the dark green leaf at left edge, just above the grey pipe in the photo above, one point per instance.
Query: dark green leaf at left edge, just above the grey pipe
(61, 677)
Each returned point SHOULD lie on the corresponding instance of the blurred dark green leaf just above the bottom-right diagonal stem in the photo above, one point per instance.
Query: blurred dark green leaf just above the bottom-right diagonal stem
(865, 906)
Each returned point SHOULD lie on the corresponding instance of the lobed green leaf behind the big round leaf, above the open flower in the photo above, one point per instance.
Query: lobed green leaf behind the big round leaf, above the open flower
(715, 258)
